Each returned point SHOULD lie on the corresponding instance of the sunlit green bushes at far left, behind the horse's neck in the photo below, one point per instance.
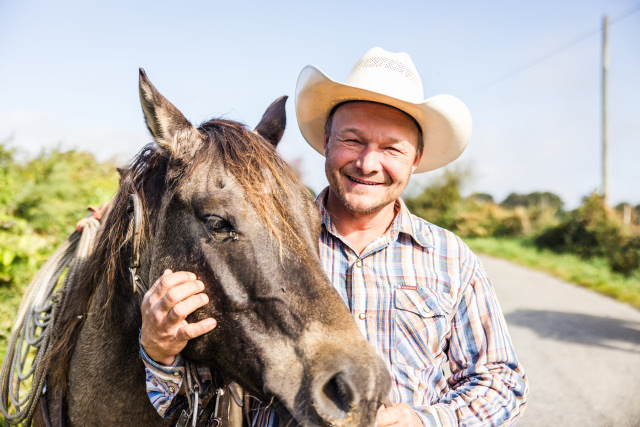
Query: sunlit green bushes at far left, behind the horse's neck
(41, 200)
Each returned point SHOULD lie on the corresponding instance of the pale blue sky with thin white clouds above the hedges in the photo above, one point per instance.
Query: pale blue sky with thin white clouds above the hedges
(68, 76)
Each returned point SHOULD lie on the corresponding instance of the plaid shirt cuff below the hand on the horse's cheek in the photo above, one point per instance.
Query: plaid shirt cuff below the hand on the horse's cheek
(163, 382)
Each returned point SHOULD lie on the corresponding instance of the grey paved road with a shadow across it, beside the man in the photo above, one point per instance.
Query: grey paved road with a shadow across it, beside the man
(581, 350)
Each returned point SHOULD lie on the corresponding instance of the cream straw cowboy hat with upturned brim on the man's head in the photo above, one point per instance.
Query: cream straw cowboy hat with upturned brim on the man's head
(391, 79)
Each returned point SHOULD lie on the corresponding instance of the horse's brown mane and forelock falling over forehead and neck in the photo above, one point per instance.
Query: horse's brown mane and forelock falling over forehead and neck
(266, 178)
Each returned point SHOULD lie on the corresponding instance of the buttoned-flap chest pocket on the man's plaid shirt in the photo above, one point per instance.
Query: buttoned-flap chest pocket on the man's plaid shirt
(422, 322)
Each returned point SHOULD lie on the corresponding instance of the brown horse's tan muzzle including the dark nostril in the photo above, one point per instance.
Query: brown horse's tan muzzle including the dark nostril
(326, 378)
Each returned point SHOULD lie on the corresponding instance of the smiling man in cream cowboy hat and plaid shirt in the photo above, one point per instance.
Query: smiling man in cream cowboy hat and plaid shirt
(417, 292)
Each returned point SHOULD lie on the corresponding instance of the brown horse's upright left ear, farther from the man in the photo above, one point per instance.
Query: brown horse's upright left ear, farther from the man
(164, 120)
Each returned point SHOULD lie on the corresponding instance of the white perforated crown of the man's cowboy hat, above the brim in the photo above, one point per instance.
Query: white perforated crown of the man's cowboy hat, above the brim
(392, 74)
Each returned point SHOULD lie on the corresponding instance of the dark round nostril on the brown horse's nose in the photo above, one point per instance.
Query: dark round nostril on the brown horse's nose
(335, 398)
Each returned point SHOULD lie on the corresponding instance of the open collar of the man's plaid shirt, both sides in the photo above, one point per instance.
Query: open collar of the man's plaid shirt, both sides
(404, 222)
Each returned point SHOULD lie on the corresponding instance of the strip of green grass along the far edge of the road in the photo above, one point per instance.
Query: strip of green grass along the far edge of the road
(593, 273)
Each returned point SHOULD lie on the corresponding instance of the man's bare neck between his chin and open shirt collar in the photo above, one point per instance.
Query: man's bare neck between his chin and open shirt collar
(359, 229)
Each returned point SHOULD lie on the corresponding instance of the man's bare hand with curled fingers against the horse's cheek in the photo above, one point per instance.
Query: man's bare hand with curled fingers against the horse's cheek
(165, 306)
